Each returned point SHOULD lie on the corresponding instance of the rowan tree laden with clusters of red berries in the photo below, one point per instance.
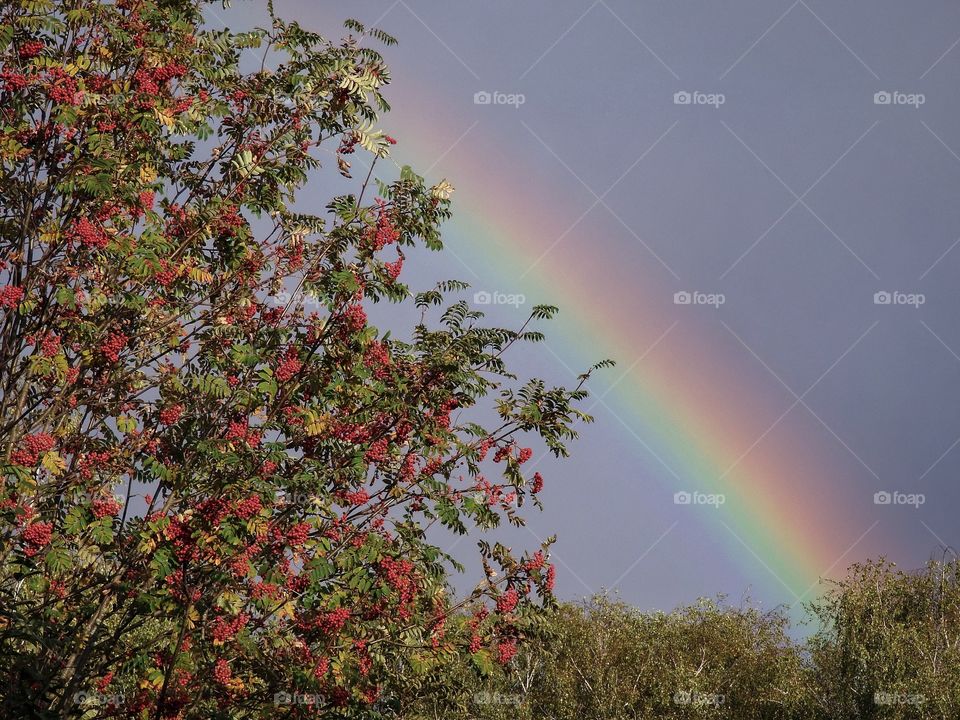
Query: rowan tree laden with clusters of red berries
(217, 476)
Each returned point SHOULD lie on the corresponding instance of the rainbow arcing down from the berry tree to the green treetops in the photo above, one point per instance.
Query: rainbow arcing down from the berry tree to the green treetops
(694, 410)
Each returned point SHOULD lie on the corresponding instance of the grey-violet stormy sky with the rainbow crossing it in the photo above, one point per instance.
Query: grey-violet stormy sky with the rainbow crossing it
(752, 208)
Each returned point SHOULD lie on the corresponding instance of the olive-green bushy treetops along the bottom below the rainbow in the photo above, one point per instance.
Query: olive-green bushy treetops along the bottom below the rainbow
(884, 645)
